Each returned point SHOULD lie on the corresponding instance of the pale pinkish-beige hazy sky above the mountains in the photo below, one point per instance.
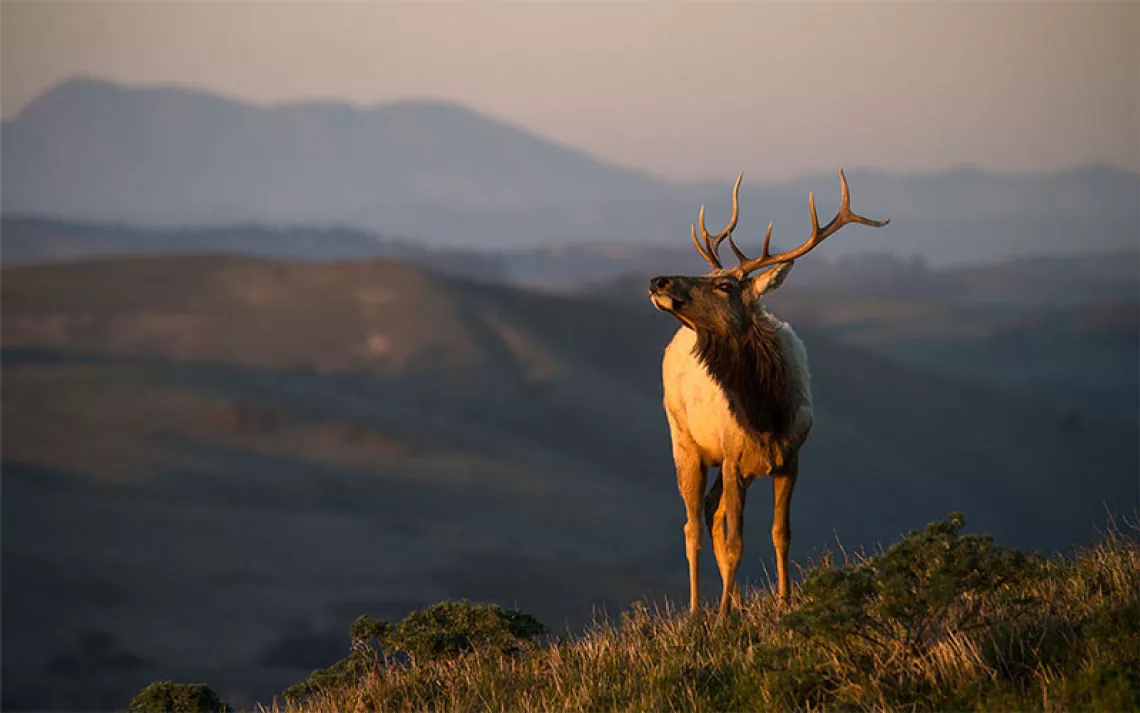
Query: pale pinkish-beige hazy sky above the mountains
(686, 91)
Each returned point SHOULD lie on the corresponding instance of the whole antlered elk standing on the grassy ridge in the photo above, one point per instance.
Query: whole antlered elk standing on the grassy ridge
(737, 392)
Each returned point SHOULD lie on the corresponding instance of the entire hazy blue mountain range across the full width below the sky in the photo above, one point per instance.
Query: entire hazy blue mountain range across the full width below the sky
(91, 150)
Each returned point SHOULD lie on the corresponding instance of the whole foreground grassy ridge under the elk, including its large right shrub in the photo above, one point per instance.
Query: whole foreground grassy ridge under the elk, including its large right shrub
(941, 621)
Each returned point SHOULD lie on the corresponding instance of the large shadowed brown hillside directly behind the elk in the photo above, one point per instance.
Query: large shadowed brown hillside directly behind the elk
(213, 465)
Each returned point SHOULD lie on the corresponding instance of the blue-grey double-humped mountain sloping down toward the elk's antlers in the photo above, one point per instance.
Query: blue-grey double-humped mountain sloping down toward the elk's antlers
(167, 157)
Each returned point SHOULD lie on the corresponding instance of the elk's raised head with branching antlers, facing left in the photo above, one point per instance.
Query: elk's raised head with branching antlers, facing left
(723, 301)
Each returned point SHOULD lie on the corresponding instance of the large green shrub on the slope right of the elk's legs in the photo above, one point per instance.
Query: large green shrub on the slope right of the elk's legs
(900, 627)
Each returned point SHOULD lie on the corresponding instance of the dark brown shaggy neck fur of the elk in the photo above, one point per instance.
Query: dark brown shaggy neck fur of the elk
(751, 368)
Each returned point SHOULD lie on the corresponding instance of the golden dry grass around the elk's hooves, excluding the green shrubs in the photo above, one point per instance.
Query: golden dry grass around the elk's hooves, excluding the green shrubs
(1065, 638)
